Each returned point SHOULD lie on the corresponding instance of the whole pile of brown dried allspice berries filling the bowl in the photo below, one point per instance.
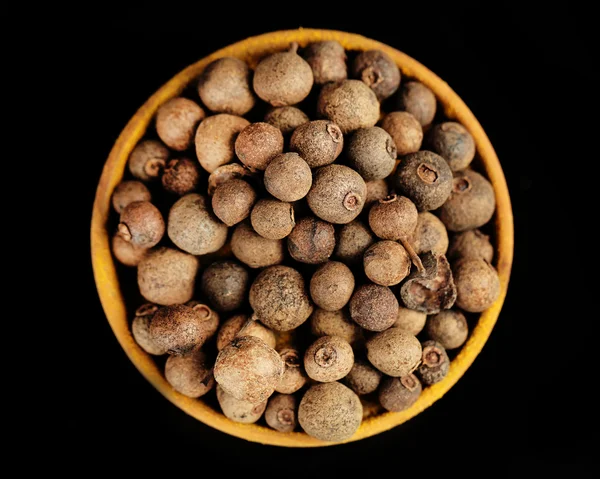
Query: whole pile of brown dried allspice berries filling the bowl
(289, 226)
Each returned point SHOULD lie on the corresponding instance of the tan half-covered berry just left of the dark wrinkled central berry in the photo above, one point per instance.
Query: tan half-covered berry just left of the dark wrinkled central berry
(253, 250)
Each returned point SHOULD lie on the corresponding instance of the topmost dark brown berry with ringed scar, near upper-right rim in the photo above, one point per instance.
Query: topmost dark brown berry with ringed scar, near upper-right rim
(378, 71)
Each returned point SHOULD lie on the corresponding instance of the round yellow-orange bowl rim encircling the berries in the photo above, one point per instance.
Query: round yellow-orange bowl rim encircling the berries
(251, 50)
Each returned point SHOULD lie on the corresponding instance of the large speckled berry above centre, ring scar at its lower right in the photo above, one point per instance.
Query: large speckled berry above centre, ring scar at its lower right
(337, 195)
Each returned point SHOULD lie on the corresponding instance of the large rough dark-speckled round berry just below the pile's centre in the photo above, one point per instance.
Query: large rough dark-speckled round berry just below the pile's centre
(279, 298)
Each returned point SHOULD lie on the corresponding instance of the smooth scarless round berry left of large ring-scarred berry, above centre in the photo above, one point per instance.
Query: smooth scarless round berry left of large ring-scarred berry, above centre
(288, 177)
